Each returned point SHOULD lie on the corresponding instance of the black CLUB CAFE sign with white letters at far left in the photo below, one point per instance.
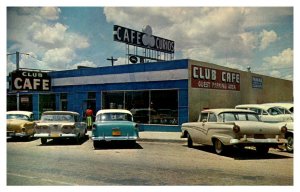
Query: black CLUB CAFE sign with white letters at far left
(30, 81)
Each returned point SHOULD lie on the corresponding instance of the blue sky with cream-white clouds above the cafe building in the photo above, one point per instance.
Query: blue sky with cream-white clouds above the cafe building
(59, 38)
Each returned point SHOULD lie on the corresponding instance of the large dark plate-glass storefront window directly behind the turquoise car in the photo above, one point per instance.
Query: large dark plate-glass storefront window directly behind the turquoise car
(147, 107)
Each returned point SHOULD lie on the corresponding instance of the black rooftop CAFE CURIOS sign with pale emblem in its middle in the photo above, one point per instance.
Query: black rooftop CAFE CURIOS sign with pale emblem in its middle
(143, 39)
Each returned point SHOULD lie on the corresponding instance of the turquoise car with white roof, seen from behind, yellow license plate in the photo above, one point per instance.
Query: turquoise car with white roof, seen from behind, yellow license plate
(114, 125)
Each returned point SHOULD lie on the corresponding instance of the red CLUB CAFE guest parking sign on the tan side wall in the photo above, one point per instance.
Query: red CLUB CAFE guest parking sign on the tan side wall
(204, 77)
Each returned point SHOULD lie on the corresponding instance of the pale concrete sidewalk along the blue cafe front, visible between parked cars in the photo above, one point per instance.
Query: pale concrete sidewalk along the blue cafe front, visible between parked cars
(153, 136)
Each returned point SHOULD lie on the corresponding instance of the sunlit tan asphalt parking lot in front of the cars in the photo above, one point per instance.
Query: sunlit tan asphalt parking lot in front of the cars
(149, 162)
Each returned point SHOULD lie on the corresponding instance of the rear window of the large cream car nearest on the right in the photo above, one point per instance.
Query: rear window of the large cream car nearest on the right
(237, 116)
